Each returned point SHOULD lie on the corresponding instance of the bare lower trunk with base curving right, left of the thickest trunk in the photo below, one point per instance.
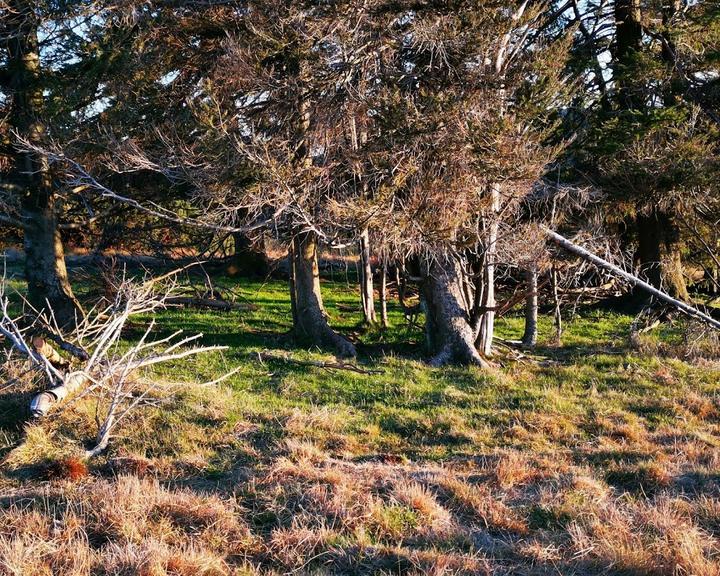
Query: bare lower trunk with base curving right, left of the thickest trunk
(310, 321)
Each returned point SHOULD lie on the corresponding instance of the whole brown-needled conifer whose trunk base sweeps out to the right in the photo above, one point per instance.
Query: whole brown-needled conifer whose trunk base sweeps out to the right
(298, 71)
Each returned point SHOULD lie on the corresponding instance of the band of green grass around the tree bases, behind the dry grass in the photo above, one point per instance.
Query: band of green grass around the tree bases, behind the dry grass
(411, 409)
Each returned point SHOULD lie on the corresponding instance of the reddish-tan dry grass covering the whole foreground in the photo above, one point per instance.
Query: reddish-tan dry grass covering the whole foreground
(629, 499)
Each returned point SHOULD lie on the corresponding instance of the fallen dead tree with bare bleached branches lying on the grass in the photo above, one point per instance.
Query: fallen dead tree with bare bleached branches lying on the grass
(108, 375)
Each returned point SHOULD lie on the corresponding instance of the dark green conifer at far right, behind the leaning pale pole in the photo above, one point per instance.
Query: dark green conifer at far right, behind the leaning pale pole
(654, 127)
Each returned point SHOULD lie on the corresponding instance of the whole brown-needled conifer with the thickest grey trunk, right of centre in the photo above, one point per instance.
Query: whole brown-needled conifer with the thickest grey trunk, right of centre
(462, 120)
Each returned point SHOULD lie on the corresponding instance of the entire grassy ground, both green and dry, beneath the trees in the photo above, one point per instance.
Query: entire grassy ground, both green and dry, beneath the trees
(590, 457)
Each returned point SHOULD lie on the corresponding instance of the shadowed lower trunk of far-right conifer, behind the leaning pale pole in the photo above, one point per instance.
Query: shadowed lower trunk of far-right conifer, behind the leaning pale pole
(658, 254)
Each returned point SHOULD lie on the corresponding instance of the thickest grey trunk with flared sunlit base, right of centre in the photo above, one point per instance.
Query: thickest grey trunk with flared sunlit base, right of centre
(448, 332)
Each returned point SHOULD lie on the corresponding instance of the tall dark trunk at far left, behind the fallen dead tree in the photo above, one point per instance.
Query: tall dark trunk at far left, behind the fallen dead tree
(45, 270)
